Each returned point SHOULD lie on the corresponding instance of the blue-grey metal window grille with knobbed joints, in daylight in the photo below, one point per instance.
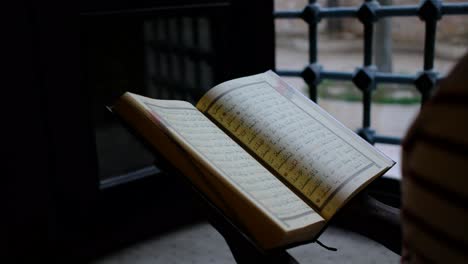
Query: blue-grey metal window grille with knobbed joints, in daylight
(366, 77)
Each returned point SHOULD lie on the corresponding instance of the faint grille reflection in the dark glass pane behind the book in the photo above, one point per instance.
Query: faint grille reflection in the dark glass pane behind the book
(179, 56)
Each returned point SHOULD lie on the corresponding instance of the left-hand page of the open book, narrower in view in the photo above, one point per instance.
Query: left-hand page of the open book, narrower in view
(221, 155)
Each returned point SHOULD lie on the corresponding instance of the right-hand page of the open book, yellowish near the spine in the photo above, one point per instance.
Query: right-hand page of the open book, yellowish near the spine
(316, 154)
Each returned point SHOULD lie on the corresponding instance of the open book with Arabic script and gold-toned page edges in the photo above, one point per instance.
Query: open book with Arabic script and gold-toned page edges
(276, 163)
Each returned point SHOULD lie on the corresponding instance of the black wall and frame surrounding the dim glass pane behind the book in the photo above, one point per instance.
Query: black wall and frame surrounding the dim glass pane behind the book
(53, 204)
